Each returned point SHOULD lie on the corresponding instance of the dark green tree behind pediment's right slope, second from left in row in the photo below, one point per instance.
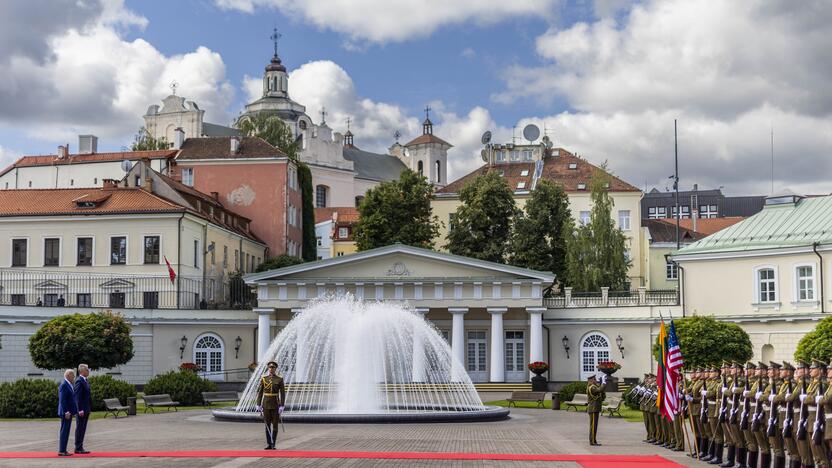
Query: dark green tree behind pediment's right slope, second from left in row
(481, 226)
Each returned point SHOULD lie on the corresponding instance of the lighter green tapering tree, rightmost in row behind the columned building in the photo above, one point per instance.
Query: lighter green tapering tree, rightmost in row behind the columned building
(596, 253)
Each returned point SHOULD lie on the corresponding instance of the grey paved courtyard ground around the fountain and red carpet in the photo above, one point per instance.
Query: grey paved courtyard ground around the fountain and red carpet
(528, 431)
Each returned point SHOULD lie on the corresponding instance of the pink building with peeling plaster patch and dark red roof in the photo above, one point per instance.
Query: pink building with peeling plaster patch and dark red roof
(250, 177)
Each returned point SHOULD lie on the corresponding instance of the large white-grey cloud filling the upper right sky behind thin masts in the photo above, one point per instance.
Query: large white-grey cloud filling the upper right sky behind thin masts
(727, 70)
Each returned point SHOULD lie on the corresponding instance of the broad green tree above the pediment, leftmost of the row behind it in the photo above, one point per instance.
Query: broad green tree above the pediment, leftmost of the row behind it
(397, 211)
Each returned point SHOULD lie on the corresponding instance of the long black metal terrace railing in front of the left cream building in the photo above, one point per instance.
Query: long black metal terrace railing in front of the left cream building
(20, 287)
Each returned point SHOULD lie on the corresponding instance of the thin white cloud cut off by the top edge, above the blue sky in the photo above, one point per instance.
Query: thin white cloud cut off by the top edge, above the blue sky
(381, 21)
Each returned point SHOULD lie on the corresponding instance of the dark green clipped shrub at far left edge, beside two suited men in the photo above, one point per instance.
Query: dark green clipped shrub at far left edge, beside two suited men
(29, 398)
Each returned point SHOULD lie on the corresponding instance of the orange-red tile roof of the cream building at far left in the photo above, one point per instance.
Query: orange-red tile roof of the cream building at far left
(52, 202)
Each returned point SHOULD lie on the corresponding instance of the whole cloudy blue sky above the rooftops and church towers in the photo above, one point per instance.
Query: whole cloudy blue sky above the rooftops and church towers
(606, 78)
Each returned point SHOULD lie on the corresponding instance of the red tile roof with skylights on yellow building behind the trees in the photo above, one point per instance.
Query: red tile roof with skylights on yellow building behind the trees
(556, 168)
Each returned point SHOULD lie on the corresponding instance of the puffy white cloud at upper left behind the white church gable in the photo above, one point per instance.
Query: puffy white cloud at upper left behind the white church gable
(68, 89)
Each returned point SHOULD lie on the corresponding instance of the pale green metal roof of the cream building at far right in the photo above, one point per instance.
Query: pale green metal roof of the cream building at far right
(776, 226)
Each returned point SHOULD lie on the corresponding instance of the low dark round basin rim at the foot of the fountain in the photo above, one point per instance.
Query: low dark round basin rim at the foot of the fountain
(480, 414)
